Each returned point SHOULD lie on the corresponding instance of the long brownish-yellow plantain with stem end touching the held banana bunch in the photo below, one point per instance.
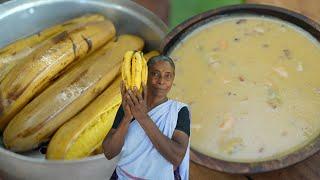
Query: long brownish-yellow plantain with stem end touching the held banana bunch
(37, 121)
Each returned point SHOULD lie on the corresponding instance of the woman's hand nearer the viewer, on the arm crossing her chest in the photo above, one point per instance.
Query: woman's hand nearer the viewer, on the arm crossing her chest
(137, 103)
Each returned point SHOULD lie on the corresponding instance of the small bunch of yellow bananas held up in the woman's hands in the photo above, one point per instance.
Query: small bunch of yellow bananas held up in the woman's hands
(134, 70)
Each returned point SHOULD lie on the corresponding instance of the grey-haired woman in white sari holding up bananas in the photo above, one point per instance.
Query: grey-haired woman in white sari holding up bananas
(150, 131)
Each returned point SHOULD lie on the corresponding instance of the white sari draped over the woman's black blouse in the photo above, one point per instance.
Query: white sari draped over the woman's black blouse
(139, 159)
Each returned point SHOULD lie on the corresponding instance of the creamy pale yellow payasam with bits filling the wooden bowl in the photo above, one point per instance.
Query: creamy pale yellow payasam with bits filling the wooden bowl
(253, 85)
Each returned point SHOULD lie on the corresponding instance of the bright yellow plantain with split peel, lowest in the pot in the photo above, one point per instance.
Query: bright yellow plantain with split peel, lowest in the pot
(84, 133)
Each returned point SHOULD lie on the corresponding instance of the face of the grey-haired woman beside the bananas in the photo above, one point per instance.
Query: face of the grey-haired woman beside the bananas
(160, 78)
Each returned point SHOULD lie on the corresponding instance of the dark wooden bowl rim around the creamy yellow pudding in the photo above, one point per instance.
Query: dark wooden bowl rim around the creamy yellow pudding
(178, 33)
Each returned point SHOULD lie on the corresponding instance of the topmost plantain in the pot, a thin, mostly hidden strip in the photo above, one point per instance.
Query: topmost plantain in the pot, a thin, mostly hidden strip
(14, 52)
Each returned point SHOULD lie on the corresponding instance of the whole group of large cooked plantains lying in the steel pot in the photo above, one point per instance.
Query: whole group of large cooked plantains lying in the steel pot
(62, 86)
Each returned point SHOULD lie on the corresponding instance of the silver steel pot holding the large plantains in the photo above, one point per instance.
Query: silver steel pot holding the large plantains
(20, 18)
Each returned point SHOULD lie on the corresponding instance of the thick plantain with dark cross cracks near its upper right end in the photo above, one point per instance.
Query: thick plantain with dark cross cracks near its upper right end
(32, 74)
